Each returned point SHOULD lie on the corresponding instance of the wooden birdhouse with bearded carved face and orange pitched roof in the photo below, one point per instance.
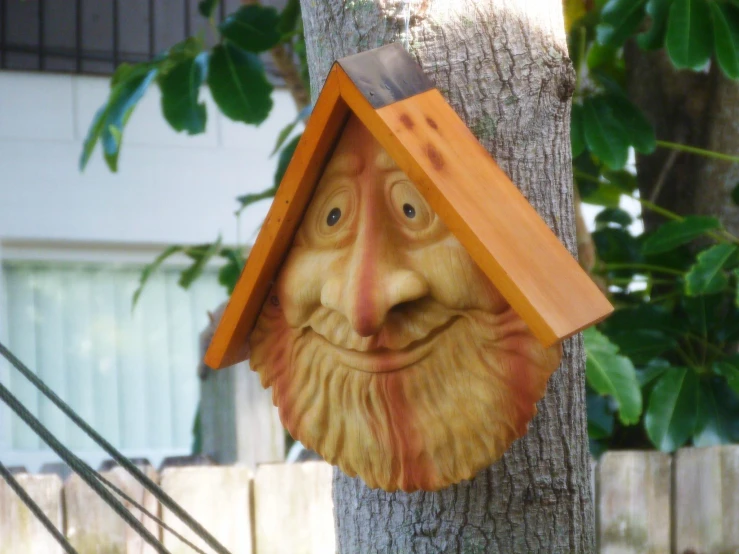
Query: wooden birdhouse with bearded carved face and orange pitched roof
(402, 286)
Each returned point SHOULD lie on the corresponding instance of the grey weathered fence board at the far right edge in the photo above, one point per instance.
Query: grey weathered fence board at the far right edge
(707, 500)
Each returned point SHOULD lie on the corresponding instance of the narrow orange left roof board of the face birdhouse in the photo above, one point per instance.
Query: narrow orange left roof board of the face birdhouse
(229, 345)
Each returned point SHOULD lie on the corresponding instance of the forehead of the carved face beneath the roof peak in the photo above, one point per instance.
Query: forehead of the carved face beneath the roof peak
(357, 151)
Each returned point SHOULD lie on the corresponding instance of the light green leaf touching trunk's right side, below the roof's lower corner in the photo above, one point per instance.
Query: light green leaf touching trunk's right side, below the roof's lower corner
(611, 374)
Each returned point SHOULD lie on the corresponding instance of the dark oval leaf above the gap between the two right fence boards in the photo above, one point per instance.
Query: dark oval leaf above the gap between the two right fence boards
(672, 411)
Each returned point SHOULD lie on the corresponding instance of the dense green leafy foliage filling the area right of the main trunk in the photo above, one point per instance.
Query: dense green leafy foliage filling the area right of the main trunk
(675, 289)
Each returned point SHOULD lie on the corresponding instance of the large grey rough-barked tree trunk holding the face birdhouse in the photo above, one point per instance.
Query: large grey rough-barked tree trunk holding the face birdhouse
(503, 66)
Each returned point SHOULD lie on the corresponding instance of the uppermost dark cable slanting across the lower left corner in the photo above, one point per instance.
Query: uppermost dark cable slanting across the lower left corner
(141, 477)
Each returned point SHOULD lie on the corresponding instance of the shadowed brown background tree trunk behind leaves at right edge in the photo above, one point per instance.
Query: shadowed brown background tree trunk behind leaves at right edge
(693, 108)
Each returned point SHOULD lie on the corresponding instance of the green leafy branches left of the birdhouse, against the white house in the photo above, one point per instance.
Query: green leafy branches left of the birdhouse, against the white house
(234, 73)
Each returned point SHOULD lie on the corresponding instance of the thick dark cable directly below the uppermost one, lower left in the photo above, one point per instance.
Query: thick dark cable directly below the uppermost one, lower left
(80, 467)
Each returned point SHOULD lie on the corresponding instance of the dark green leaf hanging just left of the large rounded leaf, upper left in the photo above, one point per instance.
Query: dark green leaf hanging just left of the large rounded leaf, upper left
(180, 91)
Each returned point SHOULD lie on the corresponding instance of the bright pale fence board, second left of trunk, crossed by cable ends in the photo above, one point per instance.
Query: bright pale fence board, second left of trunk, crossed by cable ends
(219, 498)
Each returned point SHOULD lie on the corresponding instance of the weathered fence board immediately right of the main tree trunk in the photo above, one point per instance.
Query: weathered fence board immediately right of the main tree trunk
(634, 502)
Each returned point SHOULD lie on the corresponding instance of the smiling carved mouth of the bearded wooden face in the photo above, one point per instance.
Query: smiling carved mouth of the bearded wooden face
(385, 360)
